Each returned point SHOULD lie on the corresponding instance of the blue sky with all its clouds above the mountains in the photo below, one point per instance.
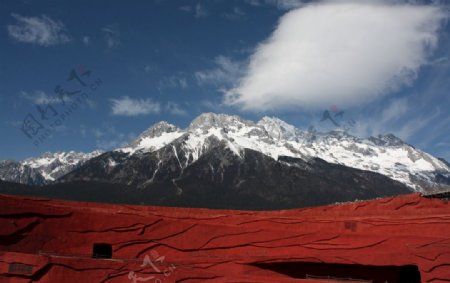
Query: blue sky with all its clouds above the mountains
(385, 63)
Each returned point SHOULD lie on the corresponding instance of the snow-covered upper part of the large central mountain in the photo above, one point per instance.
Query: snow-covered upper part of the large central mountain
(384, 154)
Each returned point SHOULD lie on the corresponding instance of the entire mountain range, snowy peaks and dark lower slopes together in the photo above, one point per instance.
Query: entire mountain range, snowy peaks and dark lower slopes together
(224, 161)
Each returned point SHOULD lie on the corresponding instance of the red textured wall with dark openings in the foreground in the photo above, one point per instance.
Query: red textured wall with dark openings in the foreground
(391, 239)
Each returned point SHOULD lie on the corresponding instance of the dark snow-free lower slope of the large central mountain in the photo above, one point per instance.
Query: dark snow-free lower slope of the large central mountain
(219, 179)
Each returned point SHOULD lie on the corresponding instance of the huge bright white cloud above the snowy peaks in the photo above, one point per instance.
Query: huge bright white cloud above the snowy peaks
(338, 52)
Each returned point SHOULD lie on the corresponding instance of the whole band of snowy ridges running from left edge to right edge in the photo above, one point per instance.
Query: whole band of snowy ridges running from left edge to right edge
(384, 154)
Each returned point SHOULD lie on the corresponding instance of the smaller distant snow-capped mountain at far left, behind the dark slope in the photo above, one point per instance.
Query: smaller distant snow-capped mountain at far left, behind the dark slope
(44, 169)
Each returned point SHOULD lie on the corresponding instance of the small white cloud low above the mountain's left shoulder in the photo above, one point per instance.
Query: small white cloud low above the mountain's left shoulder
(127, 106)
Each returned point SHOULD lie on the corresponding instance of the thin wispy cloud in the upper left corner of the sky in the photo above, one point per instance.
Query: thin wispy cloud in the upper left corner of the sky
(42, 31)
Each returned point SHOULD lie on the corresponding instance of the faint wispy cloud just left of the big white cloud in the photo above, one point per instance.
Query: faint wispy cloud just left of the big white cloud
(226, 72)
